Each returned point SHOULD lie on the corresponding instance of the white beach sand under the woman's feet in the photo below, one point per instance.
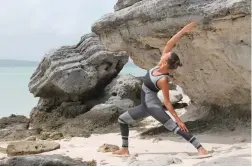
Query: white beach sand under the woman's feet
(227, 151)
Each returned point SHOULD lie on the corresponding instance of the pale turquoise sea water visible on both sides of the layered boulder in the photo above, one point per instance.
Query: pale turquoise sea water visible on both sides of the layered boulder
(15, 97)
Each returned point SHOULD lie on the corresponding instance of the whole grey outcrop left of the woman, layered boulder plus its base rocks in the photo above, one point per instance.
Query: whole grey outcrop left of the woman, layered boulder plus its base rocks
(72, 80)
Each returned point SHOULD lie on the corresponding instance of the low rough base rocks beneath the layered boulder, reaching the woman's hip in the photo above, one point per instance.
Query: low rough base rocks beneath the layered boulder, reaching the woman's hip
(76, 119)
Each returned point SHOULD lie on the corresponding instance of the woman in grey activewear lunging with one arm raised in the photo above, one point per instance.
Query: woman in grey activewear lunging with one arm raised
(157, 79)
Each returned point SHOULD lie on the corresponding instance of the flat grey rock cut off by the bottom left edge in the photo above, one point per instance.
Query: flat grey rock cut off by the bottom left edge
(42, 160)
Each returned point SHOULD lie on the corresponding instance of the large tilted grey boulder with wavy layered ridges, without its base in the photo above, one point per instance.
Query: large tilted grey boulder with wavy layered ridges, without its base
(76, 70)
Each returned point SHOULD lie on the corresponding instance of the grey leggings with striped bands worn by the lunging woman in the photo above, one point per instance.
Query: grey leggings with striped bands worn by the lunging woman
(151, 106)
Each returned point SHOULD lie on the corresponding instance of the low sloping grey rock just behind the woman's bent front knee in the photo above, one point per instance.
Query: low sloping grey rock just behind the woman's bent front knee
(98, 120)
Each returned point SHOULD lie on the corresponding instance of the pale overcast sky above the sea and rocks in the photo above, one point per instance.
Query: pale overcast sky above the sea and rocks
(30, 28)
